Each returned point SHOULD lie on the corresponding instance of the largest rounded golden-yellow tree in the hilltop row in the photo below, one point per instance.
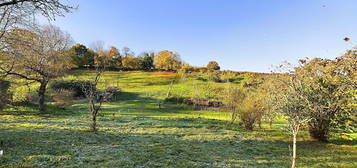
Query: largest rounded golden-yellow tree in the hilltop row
(167, 60)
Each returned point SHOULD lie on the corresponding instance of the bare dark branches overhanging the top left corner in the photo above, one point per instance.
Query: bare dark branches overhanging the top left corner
(20, 12)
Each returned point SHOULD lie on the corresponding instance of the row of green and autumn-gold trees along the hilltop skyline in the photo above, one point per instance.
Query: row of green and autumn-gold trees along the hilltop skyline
(124, 59)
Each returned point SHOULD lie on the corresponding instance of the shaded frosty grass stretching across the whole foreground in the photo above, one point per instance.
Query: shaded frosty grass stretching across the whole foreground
(121, 144)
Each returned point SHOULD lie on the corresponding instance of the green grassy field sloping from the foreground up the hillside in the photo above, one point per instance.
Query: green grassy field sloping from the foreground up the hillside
(134, 132)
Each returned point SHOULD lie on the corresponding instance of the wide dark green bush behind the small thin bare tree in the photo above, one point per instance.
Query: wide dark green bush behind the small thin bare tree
(76, 86)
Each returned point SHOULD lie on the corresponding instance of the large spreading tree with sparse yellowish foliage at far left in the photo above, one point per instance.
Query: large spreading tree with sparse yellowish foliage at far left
(37, 55)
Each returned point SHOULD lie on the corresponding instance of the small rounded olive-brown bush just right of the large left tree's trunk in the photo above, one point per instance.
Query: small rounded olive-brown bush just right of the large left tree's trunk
(64, 98)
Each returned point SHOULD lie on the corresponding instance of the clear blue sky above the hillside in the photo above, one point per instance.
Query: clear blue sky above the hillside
(241, 35)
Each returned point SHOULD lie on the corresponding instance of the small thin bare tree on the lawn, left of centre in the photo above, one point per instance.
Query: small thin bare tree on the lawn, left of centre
(96, 98)
